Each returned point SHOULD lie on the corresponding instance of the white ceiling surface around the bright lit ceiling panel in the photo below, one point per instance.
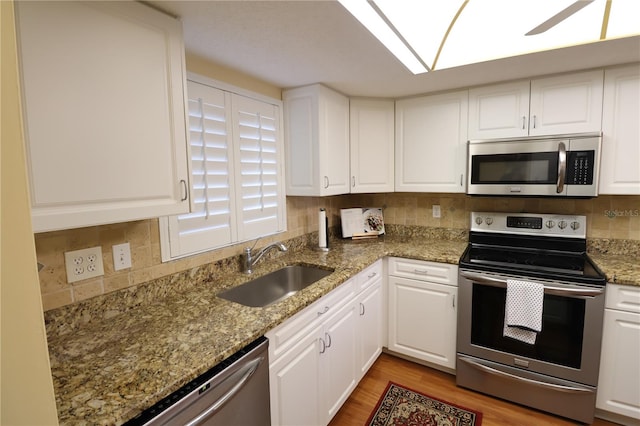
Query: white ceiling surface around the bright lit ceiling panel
(294, 43)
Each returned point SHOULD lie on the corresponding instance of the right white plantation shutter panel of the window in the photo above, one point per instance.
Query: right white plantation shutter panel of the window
(260, 203)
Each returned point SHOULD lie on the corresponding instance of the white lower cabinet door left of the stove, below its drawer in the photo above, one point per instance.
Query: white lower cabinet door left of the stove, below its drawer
(422, 320)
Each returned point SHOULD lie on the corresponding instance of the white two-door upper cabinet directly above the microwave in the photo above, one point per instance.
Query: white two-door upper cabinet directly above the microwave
(563, 104)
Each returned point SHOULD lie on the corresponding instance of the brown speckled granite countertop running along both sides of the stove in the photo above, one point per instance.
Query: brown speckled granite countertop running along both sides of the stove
(106, 371)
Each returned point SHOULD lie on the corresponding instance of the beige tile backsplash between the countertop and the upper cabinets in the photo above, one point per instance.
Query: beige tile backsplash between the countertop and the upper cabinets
(608, 217)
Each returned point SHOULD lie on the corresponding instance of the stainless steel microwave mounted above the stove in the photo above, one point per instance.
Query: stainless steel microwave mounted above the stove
(558, 166)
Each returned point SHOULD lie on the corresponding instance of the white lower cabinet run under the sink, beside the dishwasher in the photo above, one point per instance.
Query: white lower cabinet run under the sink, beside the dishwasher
(318, 356)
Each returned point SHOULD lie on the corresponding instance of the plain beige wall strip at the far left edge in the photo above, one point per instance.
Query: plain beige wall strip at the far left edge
(26, 391)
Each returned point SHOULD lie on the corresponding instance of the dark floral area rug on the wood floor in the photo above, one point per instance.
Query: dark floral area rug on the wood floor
(399, 406)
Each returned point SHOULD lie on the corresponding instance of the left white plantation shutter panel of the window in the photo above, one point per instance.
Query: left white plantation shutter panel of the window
(211, 223)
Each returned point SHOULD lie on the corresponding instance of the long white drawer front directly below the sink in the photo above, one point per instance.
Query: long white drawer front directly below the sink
(292, 330)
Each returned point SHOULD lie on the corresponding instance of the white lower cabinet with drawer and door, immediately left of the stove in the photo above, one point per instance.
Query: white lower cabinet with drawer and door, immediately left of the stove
(422, 310)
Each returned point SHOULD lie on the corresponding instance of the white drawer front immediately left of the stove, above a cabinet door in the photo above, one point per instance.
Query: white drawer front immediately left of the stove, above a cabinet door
(424, 271)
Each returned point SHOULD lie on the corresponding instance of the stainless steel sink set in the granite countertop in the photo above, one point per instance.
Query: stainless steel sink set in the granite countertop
(275, 286)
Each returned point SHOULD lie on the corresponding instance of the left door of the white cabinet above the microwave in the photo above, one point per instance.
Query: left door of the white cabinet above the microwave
(499, 111)
